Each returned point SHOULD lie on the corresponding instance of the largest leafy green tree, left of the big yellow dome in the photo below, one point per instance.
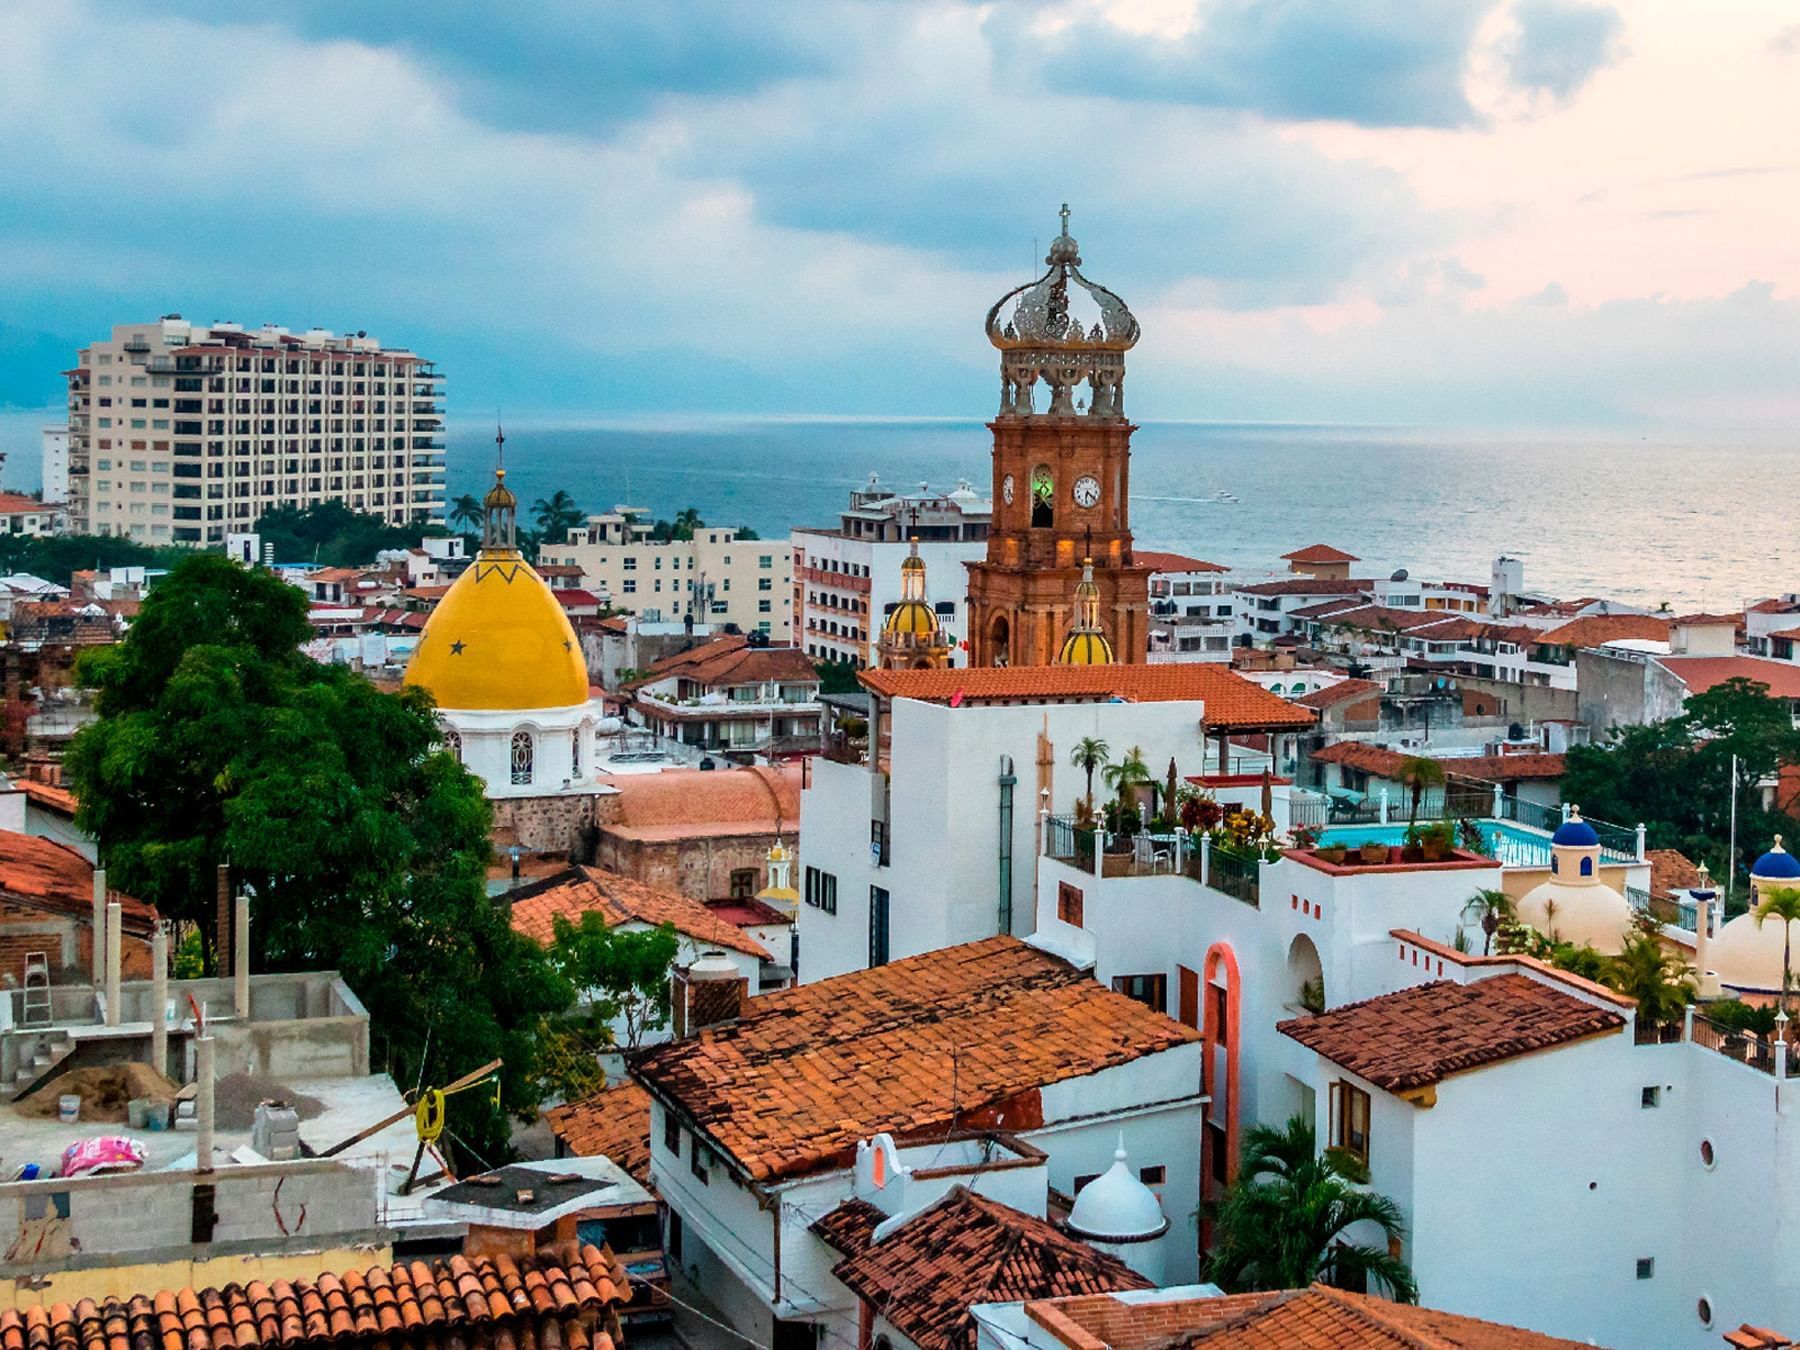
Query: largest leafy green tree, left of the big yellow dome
(364, 845)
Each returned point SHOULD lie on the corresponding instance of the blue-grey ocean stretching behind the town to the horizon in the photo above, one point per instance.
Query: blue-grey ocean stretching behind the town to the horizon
(1651, 523)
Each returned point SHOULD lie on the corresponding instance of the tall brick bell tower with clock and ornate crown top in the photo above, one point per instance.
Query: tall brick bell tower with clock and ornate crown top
(1061, 472)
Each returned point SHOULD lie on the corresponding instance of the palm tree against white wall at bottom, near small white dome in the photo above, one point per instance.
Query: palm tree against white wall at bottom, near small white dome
(1282, 1223)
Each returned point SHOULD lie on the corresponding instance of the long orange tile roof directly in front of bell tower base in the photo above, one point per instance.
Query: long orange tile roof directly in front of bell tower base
(1230, 699)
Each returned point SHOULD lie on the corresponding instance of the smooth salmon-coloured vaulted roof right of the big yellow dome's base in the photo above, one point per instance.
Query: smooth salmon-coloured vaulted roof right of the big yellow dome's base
(694, 802)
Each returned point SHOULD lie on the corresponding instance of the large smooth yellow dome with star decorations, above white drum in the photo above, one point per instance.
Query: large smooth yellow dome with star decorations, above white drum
(499, 642)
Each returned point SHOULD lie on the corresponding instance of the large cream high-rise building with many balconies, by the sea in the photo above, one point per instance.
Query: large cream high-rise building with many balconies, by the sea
(181, 435)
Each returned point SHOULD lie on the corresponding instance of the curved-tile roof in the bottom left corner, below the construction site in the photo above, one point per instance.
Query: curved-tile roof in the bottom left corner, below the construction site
(483, 1302)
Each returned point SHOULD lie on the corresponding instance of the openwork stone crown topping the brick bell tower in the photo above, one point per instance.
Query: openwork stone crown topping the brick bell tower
(1065, 330)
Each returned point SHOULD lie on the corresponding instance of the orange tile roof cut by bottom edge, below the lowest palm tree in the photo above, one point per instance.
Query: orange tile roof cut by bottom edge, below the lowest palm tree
(1315, 1318)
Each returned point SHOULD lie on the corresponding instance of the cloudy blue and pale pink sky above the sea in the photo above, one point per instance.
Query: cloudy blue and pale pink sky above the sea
(1468, 213)
